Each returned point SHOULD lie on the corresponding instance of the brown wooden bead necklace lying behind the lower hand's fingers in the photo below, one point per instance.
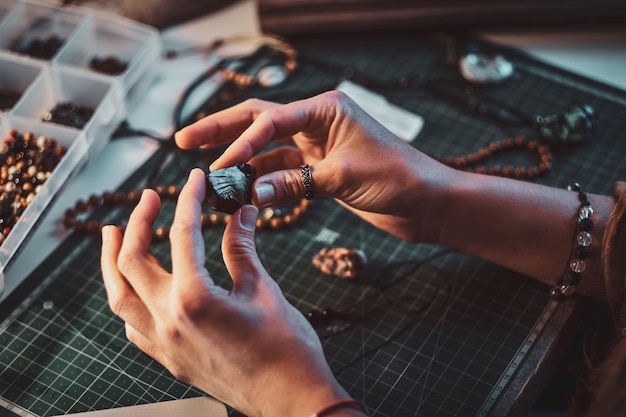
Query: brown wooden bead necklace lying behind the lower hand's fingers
(269, 218)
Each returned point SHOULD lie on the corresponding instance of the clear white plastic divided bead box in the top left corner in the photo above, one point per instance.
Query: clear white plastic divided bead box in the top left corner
(66, 76)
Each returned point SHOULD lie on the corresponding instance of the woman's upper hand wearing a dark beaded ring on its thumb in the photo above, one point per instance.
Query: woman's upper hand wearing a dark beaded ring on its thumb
(352, 158)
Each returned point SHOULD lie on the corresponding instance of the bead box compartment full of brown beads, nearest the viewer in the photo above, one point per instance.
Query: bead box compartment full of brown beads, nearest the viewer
(30, 177)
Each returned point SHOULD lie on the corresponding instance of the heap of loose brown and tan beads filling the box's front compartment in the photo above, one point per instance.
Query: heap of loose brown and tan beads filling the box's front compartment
(27, 162)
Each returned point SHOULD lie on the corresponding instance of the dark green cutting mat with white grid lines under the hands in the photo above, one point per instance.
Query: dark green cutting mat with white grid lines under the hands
(433, 332)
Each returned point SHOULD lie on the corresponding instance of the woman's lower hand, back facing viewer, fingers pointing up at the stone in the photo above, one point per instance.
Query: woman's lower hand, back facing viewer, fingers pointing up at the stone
(248, 346)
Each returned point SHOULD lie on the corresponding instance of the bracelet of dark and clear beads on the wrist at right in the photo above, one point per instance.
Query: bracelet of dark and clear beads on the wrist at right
(566, 286)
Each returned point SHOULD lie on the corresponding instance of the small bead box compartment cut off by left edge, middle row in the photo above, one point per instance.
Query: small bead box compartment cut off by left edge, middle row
(16, 77)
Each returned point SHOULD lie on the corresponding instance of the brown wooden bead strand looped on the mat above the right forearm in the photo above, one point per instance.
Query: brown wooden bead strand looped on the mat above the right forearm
(466, 163)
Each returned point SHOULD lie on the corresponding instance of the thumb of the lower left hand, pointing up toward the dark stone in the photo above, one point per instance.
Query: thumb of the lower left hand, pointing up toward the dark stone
(239, 250)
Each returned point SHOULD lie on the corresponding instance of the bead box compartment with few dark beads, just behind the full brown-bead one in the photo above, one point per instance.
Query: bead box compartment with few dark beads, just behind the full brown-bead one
(76, 99)
